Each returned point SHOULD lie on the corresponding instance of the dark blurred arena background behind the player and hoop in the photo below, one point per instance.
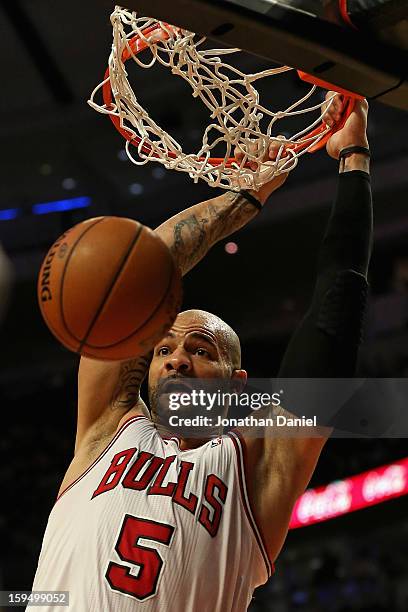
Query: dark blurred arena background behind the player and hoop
(55, 148)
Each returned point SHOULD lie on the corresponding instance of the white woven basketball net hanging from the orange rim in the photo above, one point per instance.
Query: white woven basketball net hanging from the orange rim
(228, 93)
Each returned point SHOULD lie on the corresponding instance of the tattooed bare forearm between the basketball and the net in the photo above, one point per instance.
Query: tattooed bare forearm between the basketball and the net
(206, 224)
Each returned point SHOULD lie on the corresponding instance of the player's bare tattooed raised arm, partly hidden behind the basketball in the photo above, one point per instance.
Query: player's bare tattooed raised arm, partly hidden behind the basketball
(108, 390)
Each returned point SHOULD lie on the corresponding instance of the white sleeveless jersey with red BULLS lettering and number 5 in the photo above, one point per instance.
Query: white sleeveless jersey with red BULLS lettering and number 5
(152, 528)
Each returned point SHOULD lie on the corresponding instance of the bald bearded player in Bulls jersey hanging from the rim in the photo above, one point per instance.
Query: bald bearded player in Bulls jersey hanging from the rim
(152, 522)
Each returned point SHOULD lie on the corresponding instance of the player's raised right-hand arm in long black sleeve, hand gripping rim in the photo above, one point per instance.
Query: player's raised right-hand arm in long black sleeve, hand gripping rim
(326, 343)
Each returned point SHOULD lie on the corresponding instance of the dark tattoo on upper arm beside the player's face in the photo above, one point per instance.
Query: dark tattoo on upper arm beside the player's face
(131, 375)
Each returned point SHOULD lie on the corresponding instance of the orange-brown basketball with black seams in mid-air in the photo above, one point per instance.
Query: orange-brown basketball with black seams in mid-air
(109, 288)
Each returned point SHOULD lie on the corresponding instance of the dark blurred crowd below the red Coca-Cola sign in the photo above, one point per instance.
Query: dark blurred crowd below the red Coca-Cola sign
(363, 571)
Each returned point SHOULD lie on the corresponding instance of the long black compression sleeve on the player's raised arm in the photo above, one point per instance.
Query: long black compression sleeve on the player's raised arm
(327, 340)
